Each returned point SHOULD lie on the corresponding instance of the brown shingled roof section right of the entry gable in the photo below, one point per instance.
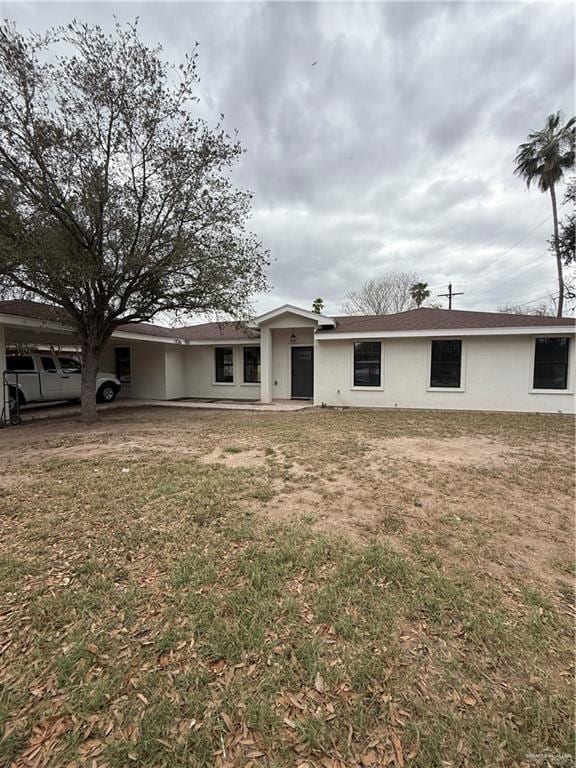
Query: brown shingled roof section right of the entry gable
(441, 319)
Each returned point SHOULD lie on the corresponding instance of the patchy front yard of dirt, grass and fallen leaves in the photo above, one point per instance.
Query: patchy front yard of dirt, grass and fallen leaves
(322, 588)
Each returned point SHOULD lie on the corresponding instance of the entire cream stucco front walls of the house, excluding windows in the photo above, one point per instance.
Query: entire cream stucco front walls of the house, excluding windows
(497, 373)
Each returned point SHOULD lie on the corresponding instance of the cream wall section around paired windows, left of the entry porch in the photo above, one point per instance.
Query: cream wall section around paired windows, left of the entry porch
(200, 370)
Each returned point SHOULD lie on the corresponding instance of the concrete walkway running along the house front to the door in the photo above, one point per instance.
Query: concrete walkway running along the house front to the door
(59, 410)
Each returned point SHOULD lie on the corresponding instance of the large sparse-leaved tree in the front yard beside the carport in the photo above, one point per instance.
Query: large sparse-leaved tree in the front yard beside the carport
(116, 201)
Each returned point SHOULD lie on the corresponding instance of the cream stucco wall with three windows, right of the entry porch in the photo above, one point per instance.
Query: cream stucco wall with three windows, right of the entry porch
(497, 375)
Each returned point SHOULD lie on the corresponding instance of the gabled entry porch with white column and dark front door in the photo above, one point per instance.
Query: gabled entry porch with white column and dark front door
(287, 352)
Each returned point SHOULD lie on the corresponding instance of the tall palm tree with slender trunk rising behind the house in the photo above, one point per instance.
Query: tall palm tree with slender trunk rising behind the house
(543, 159)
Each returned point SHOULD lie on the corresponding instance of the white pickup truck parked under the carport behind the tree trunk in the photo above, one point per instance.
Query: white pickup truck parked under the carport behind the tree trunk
(42, 377)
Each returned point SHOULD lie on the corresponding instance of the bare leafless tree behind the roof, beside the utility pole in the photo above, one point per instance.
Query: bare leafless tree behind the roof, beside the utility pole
(392, 292)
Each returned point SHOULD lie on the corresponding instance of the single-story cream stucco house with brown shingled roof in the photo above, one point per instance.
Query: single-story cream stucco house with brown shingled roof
(422, 358)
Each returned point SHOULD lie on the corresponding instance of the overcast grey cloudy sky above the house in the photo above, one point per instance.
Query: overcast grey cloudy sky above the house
(394, 151)
